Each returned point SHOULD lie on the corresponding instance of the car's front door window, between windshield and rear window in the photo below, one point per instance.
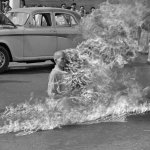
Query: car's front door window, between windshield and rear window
(42, 20)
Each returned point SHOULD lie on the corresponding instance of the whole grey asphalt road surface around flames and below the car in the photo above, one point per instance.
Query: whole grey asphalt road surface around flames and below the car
(19, 82)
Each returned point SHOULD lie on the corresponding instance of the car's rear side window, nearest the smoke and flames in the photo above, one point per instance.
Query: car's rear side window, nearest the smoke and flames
(64, 20)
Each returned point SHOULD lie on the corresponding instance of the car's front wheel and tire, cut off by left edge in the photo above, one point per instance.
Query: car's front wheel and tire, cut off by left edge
(4, 59)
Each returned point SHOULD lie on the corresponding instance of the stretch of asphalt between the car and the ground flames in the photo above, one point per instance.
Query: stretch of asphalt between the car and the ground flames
(23, 80)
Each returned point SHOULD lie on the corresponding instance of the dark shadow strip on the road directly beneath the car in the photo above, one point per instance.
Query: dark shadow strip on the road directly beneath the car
(29, 69)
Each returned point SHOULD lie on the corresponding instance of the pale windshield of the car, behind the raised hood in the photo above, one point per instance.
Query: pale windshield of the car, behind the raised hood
(18, 18)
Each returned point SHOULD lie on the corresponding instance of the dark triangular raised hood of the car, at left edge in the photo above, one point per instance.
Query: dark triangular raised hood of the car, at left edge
(5, 22)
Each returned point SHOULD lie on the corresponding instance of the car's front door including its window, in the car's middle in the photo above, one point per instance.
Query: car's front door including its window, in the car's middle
(40, 37)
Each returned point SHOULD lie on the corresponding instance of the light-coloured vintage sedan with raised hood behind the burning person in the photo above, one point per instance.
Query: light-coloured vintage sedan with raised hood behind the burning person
(34, 34)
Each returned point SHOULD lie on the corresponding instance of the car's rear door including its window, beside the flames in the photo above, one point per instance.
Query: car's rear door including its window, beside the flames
(68, 34)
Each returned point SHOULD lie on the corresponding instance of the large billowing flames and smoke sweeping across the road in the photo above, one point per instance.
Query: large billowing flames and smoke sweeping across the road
(104, 90)
